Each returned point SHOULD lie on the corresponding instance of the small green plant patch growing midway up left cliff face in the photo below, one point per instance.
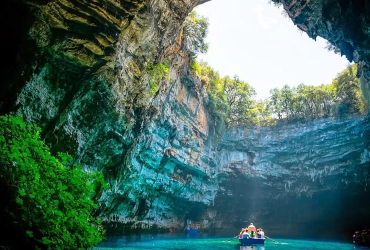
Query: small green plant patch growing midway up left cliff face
(157, 72)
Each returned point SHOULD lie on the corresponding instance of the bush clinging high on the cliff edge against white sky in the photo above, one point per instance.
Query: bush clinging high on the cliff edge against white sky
(195, 29)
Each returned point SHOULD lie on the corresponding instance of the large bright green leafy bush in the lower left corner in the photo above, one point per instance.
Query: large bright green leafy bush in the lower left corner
(46, 200)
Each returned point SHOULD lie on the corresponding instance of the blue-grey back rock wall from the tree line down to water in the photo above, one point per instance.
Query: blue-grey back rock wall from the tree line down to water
(293, 179)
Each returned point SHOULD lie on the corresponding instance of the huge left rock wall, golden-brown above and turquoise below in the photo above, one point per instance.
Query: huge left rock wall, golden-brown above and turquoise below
(88, 88)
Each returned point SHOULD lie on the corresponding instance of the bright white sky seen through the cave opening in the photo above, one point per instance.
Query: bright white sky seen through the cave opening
(256, 42)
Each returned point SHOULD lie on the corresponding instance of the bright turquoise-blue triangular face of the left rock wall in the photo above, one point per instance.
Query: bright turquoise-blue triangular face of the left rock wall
(171, 164)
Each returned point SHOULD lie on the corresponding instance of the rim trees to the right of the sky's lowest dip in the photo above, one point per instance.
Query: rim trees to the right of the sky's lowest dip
(305, 102)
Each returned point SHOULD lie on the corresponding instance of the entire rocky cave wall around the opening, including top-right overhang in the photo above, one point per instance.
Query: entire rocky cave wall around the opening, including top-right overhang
(77, 68)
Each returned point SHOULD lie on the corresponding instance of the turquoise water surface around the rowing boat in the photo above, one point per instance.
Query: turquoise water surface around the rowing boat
(219, 243)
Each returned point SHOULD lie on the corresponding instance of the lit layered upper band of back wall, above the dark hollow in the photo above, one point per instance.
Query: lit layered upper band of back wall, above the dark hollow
(299, 154)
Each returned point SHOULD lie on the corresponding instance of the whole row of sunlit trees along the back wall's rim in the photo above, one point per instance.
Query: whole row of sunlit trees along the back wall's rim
(232, 100)
